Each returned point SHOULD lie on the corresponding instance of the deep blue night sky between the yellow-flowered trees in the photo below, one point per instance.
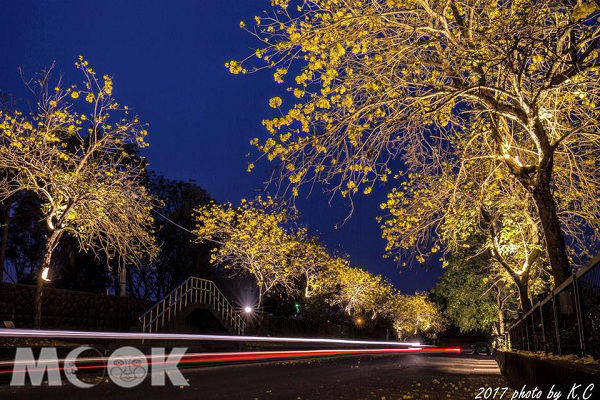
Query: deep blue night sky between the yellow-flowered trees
(167, 59)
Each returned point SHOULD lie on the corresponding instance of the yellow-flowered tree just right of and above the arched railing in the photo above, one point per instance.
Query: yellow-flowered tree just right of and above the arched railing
(251, 239)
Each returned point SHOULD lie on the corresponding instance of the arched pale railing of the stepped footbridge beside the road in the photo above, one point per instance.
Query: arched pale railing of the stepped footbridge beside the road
(192, 290)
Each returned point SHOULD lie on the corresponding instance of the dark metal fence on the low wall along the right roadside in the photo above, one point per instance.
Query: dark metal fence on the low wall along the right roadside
(565, 322)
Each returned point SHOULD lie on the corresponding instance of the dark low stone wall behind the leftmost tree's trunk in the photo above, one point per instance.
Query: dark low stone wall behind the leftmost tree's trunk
(66, 309)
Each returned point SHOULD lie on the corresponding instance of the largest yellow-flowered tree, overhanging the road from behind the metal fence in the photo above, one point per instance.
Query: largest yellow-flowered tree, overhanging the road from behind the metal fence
(400, 79)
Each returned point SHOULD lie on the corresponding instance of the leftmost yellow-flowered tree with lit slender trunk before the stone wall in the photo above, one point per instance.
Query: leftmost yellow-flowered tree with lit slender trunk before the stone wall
(79, 165)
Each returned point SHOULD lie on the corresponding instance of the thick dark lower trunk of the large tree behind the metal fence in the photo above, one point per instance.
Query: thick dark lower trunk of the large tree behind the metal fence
(555, 241)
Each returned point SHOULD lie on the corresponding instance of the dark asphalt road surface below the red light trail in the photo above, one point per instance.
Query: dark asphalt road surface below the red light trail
(348, 377)
